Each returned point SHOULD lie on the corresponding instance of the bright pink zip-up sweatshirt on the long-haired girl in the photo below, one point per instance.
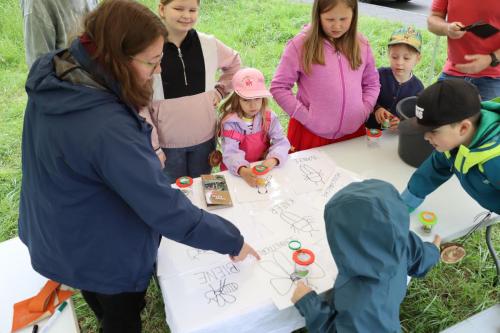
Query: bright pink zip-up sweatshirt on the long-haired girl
(333, 100)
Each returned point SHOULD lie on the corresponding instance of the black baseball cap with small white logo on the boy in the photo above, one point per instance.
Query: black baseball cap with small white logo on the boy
(446, 102)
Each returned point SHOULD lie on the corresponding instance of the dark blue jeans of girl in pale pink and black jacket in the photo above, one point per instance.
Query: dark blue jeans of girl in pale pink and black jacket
(188, 161)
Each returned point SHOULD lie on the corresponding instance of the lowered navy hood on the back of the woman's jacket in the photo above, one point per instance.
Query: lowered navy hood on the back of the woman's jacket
(54, 92)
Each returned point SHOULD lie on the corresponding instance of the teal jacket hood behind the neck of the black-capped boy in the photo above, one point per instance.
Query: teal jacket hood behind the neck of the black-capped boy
(489, 126)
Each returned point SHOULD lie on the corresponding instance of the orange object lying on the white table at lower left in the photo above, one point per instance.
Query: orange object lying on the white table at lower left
(36, 308)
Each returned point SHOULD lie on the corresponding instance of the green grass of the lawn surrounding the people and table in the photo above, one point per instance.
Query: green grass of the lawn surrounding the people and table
(259, 31)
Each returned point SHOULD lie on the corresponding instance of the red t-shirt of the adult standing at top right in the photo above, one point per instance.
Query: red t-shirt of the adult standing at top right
(468, 12)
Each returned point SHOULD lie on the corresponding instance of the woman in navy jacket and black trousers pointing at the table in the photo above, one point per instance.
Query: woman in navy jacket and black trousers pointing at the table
(94, 199)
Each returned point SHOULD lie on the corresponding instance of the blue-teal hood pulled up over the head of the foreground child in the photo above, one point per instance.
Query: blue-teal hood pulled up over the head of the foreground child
(367, 226)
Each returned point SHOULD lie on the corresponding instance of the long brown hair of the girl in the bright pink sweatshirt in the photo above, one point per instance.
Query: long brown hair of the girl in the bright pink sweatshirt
(348, 44)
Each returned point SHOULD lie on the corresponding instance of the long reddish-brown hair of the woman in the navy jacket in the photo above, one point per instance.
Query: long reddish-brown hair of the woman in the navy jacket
(121, 29)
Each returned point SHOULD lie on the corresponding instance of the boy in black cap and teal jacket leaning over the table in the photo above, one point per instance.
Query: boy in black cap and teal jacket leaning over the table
(465, 134)
